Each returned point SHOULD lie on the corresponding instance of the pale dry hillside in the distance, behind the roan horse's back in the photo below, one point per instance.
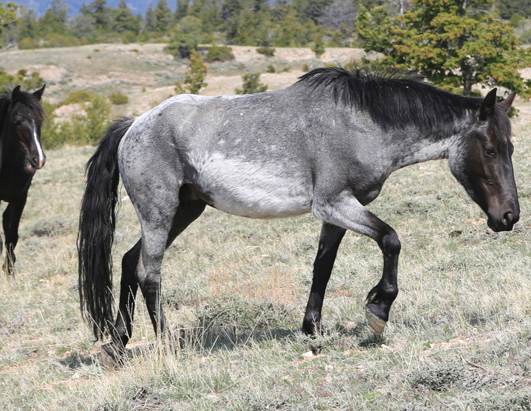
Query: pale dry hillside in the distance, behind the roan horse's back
(148, 75)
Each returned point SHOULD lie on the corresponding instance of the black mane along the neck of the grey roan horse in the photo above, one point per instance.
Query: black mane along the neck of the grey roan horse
(391, 101)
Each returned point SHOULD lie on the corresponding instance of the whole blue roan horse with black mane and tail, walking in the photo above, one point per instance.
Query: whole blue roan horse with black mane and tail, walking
(325, 145)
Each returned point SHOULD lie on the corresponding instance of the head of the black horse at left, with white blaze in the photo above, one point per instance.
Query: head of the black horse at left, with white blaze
(26, 119)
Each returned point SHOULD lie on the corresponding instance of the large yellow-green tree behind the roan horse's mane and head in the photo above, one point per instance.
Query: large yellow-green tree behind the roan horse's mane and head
(448, 41)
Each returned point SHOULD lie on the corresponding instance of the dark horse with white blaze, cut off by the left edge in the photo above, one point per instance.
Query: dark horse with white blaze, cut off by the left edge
(21, 155)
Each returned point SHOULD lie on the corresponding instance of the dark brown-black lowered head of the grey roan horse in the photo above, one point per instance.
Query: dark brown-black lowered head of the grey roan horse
(483, 164)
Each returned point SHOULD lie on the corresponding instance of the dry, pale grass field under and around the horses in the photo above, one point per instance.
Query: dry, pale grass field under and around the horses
(235, 289)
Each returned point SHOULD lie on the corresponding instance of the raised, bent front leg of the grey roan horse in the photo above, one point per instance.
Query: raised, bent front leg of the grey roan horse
(344, 210)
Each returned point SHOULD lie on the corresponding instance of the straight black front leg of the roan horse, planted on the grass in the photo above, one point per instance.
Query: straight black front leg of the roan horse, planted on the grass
(329, 241)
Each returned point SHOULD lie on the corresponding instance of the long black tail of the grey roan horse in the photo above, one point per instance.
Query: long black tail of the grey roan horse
(96, 231)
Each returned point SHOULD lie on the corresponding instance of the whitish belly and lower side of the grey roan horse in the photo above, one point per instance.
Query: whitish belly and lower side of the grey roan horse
(253, 190)
